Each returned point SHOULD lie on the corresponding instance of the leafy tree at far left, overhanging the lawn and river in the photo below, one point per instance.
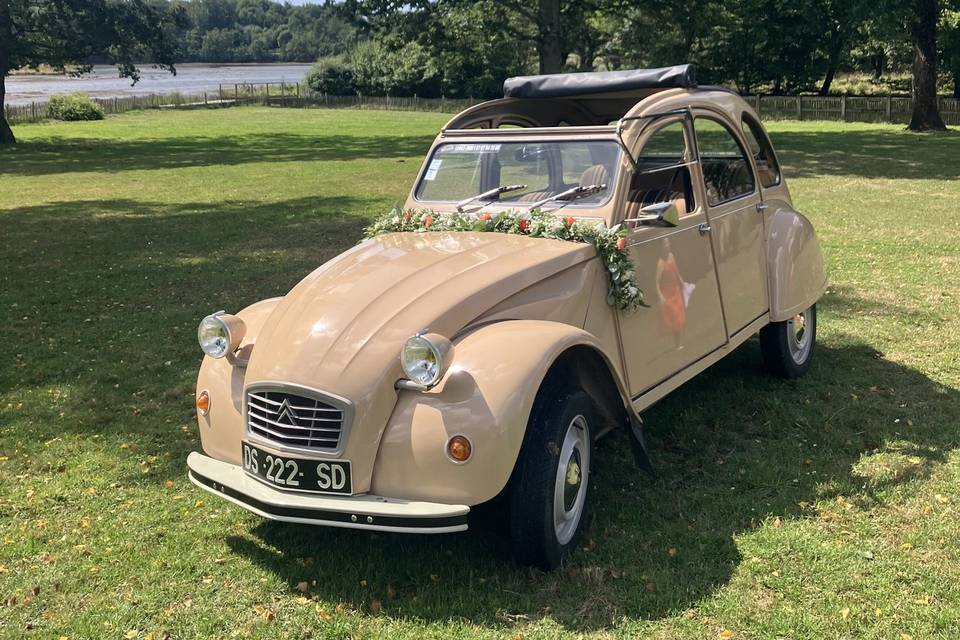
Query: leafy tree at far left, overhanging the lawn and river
(65, 32)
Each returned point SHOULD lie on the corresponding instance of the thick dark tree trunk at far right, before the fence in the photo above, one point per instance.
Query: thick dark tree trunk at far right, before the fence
(923, 29)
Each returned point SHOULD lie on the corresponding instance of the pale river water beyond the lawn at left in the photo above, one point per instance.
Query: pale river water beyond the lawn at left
(190, 79)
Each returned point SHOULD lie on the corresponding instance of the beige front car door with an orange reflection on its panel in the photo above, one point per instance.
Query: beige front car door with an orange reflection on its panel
(674, 266)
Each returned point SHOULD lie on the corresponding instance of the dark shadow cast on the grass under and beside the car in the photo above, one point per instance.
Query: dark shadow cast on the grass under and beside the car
(734, 450)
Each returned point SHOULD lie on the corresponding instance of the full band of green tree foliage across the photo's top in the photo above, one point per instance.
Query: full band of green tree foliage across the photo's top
(464, 48)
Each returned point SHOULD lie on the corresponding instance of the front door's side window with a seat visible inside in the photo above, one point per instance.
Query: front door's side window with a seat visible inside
(660, 175)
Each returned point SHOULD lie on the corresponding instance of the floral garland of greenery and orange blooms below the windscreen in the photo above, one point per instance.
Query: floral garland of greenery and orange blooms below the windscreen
(610, 243)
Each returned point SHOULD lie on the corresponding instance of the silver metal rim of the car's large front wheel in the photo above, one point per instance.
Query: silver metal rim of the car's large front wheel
(570, 489)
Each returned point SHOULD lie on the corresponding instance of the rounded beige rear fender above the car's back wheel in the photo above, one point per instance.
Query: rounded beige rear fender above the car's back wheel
(795, 269)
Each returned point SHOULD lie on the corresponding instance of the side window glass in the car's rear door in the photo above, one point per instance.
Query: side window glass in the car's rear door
(726, 171)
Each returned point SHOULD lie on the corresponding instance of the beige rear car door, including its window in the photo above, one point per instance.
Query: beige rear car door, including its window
(735, 216)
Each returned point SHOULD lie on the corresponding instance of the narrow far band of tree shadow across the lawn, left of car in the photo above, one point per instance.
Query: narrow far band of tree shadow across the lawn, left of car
(67, 155)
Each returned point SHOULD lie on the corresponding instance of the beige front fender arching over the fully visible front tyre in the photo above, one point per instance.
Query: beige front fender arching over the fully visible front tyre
(487, 396)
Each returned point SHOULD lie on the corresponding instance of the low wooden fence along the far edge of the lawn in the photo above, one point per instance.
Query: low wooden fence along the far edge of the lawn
(894, 109)
